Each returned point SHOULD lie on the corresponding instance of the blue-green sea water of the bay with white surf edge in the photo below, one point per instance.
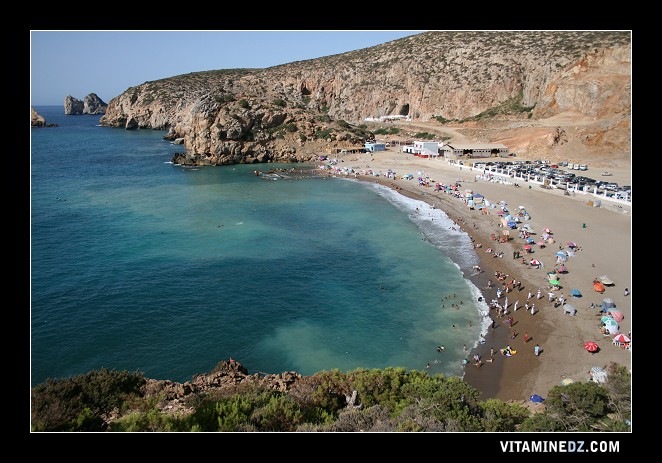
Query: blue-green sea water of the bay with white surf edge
(140, 264)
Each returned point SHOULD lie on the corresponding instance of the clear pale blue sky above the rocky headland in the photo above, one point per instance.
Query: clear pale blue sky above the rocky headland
(78, 63)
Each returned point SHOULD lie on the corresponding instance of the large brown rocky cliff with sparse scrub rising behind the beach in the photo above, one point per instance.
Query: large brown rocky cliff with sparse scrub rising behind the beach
(291, 111)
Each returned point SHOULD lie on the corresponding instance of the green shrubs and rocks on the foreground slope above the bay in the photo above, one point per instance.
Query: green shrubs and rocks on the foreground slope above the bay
(393, 399)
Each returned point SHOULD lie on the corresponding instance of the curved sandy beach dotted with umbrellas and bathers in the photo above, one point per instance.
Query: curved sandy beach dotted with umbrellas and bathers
(604, 238)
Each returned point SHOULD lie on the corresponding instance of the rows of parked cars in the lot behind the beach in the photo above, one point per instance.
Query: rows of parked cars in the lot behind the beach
(559, 174)
